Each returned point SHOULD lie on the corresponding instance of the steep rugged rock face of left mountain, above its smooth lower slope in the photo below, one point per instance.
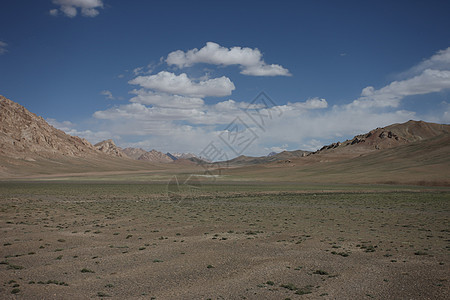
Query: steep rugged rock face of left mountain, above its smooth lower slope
(24, 135)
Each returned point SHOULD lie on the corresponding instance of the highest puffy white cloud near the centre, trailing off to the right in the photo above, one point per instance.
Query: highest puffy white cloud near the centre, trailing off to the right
(249, 59)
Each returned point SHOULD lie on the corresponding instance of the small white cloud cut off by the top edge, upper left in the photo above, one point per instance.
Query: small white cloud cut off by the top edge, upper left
(89, 8)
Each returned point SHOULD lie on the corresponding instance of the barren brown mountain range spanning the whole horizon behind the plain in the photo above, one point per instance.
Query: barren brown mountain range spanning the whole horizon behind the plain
(29, 145)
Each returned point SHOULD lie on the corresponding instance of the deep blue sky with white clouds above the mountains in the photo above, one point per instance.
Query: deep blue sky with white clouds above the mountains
(226, 78)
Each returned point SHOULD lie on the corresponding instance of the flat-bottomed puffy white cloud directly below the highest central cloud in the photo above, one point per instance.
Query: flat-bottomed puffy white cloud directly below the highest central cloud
(168, 82)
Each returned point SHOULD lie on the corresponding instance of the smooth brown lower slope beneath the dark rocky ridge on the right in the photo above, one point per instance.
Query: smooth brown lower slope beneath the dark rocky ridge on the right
(424, 162)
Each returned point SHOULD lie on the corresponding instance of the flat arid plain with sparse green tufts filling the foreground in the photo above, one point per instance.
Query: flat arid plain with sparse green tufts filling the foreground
(79, 240)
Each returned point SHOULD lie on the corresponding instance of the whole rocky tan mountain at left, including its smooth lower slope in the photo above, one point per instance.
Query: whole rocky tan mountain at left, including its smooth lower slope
(29, 145)
